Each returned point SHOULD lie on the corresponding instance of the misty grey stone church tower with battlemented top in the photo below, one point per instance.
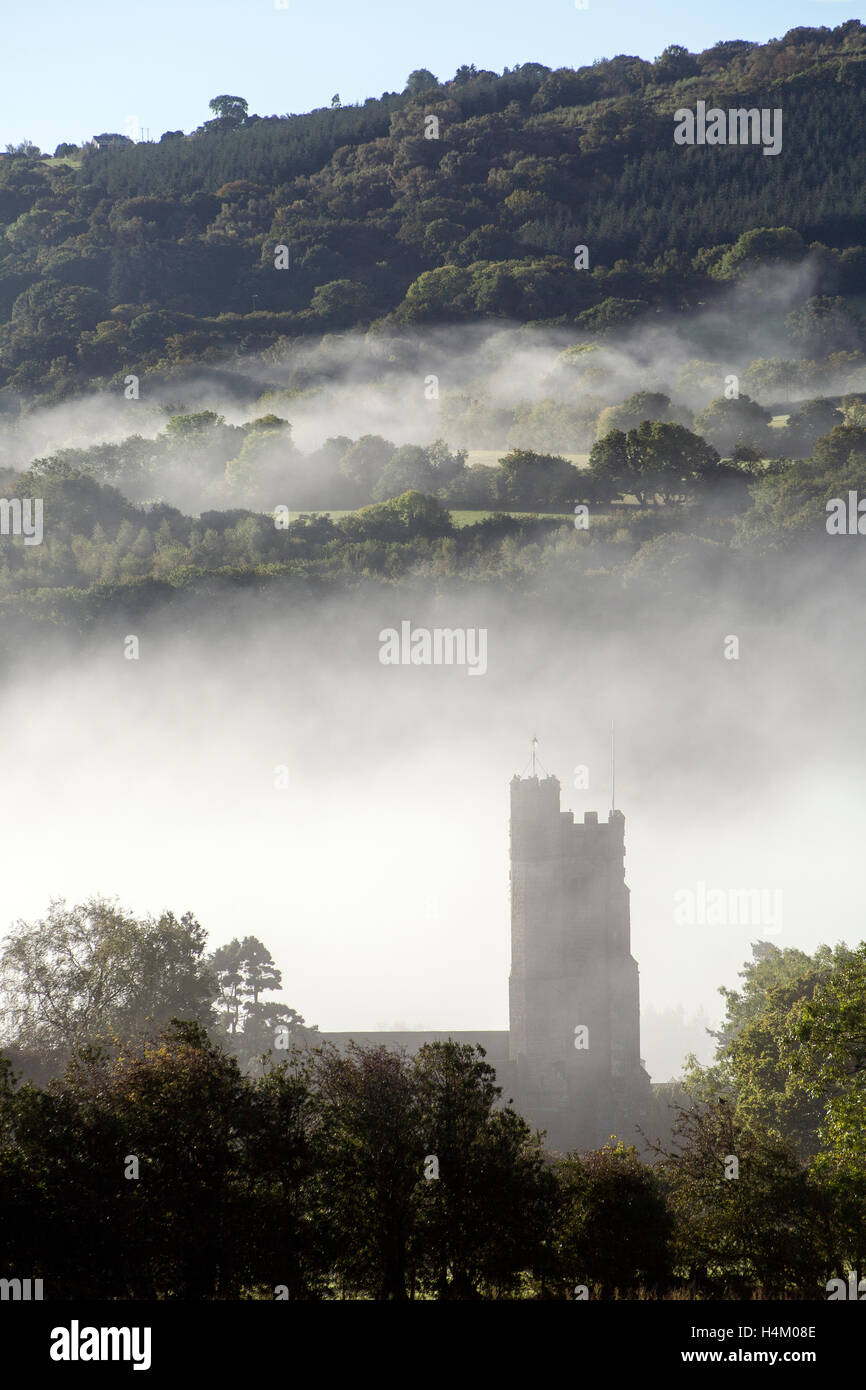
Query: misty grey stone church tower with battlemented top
(573, 992)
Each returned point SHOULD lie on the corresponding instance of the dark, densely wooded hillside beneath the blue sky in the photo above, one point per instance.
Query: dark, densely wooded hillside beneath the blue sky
(156, 256)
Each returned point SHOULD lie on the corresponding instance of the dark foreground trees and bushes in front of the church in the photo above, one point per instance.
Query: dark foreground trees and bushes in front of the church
(159, 1157)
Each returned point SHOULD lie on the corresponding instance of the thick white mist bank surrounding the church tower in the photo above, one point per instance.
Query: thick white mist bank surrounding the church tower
(379, 874)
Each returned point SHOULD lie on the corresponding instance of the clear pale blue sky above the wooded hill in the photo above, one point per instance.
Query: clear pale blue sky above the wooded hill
(70, 70)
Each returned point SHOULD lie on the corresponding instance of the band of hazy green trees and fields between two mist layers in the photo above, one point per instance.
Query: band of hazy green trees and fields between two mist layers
(532, 518)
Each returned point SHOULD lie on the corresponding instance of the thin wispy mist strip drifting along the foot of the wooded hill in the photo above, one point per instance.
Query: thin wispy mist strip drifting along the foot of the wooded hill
(415, 387)
